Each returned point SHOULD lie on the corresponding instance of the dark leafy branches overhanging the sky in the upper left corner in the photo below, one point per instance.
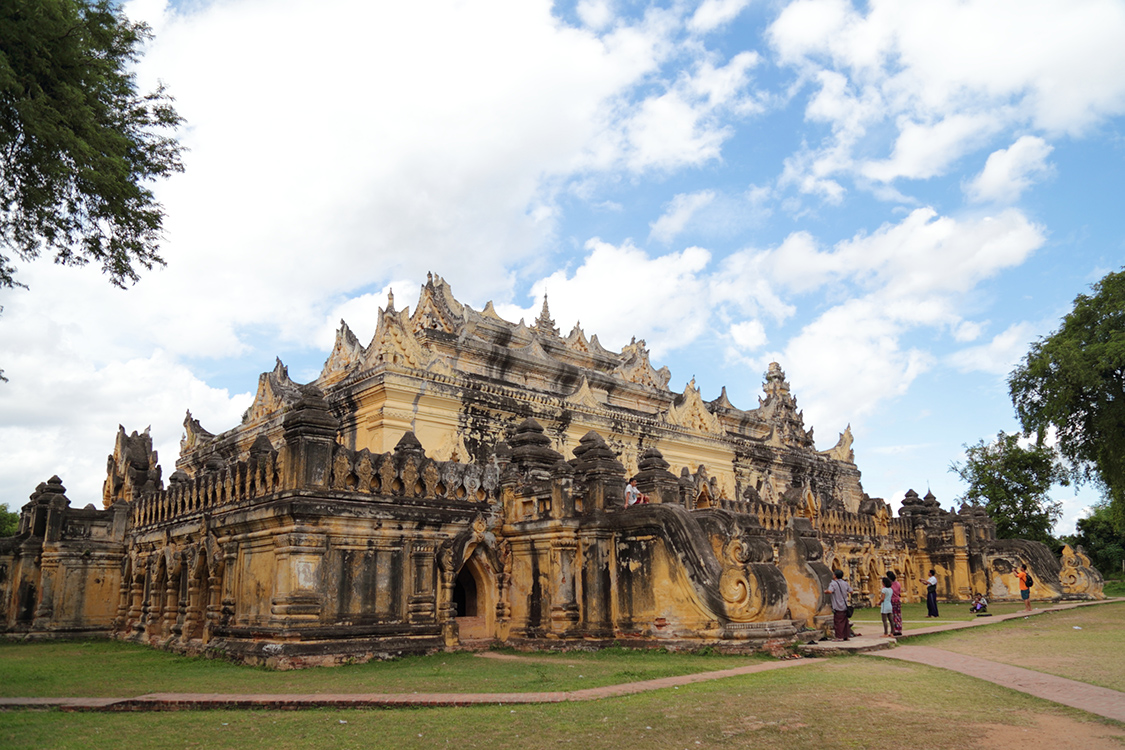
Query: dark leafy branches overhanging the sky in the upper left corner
(79, 146)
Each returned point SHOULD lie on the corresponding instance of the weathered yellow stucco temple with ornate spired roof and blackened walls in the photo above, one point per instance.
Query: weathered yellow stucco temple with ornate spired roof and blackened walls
(458, 482)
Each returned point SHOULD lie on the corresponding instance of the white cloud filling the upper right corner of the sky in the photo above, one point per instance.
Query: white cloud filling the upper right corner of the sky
(885, 82)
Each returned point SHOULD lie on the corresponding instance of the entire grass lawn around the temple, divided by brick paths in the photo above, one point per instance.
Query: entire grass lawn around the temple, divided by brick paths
(847, 702)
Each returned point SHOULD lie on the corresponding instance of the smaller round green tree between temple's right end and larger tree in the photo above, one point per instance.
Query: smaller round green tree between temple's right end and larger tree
(1012, 483)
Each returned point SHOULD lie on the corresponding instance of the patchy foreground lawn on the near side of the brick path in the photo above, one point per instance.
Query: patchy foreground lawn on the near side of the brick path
(850, 702)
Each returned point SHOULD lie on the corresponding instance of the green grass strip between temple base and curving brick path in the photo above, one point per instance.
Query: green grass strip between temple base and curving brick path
(116, 670)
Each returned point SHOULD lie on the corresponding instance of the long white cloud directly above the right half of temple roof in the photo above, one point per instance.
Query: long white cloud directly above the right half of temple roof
(851, 358)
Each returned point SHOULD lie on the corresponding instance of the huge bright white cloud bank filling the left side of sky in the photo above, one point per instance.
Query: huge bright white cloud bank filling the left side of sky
(409, 138)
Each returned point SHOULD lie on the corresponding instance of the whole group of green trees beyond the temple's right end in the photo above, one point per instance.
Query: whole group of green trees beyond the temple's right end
(1069, 394)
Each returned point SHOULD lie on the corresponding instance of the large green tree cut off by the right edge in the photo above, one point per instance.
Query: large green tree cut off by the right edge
(1074, 382)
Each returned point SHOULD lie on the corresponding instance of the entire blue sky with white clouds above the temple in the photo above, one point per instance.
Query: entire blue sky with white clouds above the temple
(890, 200)
